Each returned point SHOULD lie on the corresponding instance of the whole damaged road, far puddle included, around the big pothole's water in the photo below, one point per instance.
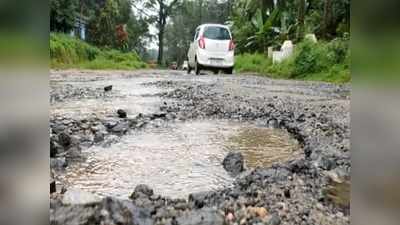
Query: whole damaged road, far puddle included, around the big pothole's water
(311, 187)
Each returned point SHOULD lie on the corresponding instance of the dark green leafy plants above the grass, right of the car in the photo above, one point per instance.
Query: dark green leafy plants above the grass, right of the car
(271, 24)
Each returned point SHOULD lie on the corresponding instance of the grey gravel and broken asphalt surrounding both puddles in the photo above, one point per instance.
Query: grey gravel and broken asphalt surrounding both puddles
(311, 189)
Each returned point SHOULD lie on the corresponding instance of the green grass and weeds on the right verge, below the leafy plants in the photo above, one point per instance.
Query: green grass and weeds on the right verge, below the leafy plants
(323, 61)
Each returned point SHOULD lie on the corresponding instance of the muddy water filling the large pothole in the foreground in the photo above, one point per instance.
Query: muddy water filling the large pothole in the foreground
(177, 159)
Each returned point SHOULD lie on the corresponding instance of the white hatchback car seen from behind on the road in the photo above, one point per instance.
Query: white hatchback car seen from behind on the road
(212, 49)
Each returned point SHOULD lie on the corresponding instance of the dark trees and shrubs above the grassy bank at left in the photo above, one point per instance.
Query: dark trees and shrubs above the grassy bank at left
(111, 23)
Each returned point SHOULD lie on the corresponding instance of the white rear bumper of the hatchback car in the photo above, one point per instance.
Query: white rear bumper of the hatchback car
(215, 59)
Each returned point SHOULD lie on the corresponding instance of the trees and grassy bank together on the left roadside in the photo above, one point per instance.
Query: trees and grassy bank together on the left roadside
(114, 36)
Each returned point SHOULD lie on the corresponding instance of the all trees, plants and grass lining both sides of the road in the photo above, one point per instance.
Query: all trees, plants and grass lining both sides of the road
(117, 31)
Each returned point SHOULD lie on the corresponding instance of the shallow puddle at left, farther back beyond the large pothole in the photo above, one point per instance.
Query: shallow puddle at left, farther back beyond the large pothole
(127, 94)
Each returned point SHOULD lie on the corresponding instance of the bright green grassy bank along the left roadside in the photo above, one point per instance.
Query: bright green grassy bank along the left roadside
(68, 52)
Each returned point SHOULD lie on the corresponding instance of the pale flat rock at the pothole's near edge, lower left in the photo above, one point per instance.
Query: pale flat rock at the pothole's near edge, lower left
(79, 197)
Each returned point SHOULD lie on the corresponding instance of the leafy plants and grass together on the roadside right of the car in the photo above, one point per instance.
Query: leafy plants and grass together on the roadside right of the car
(271, 24)
